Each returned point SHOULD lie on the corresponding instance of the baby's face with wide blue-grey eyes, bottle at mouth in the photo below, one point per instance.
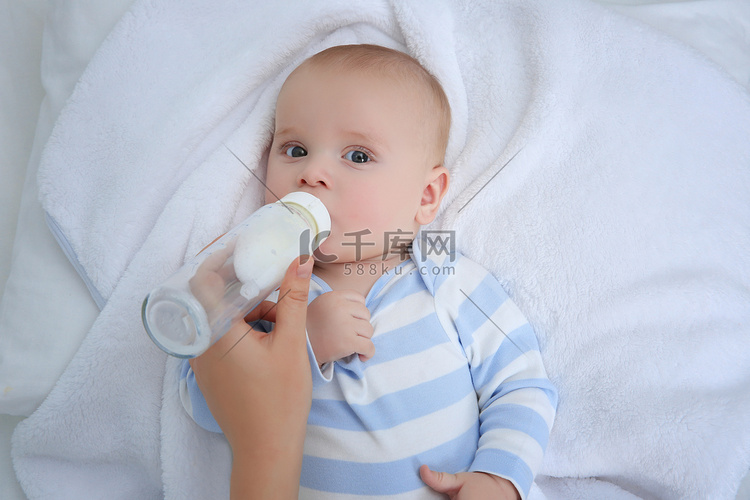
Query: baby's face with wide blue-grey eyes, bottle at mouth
(359, 143)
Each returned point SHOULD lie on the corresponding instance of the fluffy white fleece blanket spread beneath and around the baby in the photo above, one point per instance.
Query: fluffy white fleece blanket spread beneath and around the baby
(621, 227)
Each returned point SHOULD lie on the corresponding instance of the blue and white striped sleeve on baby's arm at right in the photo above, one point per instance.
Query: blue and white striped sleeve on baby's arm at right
(517, 402)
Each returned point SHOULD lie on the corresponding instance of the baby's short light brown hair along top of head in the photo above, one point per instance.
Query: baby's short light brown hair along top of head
(382, 59)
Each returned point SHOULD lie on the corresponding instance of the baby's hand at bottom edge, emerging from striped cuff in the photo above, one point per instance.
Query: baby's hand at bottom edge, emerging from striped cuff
(469, 485)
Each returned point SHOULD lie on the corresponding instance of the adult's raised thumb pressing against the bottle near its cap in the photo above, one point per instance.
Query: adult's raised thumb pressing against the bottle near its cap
(292, 304)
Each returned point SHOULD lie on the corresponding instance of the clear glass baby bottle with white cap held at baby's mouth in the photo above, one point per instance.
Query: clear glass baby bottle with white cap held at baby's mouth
(192, 309)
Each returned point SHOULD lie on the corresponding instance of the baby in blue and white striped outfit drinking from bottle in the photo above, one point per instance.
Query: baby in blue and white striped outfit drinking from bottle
(421, 362)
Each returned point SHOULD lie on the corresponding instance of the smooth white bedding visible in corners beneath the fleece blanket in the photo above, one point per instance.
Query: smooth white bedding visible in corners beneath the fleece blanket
(46, 308)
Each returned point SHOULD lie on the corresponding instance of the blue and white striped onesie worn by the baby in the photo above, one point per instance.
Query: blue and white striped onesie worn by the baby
(457, 383)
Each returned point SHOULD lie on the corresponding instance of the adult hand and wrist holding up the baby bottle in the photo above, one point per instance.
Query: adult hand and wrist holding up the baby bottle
(258, 387)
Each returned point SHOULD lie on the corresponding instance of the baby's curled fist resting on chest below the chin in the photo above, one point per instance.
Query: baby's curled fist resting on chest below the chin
(338, 324)
